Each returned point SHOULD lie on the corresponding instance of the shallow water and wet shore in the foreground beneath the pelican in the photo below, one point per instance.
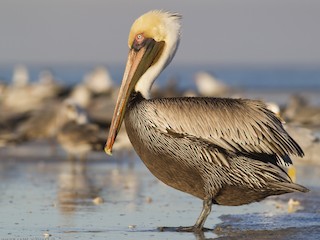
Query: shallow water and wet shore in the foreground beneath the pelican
(44, 194)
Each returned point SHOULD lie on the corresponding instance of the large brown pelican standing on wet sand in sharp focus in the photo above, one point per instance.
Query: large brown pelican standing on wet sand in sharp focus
(223, 151)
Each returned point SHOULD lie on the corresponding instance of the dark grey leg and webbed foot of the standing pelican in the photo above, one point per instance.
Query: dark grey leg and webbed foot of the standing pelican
(198, 226)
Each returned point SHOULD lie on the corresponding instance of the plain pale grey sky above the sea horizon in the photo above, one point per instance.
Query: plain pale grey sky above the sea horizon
(263, 32)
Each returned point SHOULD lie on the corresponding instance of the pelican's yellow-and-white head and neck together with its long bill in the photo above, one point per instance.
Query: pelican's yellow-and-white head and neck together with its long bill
(153, 41)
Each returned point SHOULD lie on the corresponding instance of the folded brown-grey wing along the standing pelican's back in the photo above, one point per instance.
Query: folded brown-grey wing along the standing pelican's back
(235, 125)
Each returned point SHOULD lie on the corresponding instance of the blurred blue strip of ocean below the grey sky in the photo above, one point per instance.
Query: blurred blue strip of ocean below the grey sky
(249, 78)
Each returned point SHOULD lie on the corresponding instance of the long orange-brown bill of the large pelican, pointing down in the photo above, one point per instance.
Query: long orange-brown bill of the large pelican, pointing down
(139, 60)
